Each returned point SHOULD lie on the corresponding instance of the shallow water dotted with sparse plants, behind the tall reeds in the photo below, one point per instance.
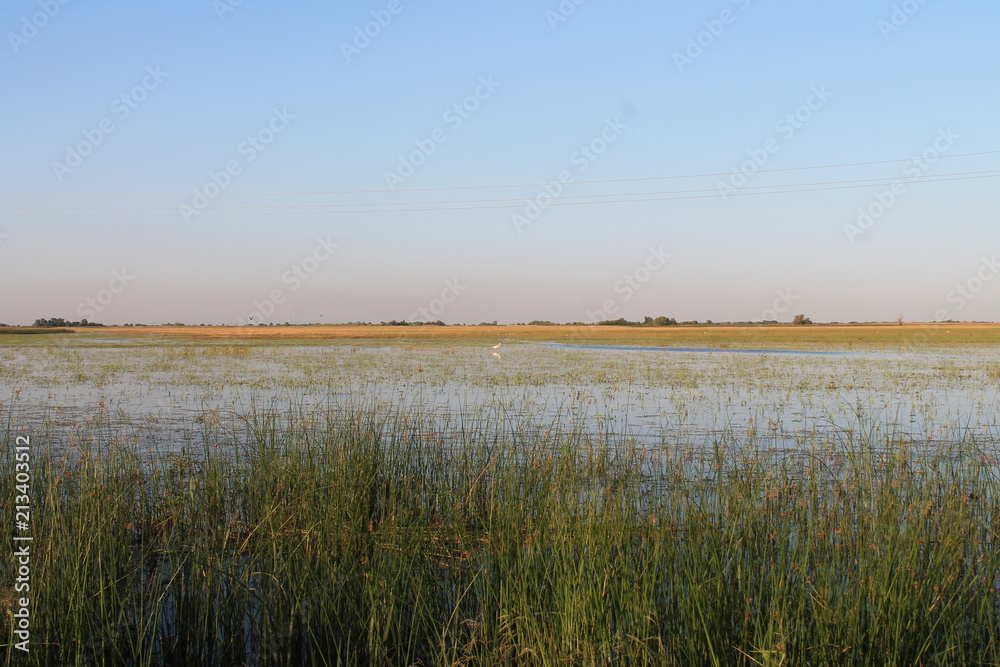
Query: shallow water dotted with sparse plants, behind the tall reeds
(170, 393)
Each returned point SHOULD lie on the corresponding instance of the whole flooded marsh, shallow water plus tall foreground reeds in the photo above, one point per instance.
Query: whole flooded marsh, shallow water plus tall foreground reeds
(302, 501)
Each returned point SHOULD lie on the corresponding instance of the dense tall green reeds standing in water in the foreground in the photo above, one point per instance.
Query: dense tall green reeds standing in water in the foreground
(361, 536)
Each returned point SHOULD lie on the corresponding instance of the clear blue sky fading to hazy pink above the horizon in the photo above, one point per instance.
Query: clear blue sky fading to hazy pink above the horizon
(638, 115)
